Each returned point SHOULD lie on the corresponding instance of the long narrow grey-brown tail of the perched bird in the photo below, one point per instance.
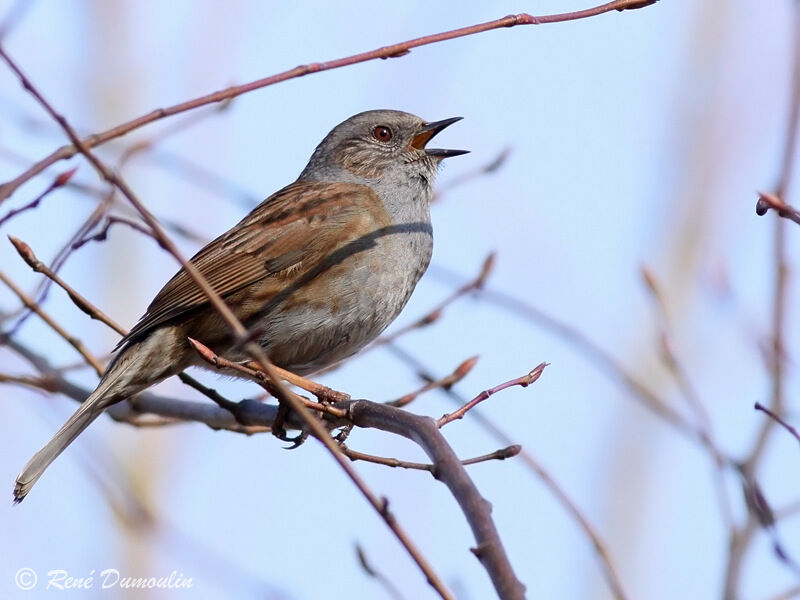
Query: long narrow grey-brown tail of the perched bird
(112, 388)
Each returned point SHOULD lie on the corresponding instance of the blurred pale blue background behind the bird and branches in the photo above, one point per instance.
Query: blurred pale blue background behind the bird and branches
(636, 139)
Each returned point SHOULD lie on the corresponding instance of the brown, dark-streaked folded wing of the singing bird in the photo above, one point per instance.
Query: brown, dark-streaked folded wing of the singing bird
(292, 230)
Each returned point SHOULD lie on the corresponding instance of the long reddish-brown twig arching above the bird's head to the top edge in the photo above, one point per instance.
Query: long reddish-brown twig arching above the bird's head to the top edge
(391, 51)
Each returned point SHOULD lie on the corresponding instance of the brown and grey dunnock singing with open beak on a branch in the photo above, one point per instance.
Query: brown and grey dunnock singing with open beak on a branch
(316, 271)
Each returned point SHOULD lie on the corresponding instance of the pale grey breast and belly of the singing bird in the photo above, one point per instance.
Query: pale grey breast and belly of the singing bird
(366, 288)
